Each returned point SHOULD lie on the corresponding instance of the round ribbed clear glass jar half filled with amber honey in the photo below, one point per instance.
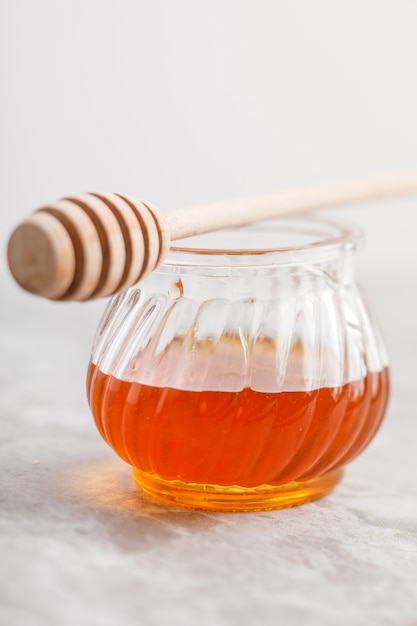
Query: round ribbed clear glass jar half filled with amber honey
(245, 372)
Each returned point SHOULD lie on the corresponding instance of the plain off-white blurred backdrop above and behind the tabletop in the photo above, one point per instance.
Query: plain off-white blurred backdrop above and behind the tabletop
(186, 102)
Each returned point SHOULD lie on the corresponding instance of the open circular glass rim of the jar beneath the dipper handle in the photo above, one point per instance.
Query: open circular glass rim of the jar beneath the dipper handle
(303, 238)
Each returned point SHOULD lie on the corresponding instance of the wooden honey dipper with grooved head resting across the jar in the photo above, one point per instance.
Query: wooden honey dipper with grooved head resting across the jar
(98, 244)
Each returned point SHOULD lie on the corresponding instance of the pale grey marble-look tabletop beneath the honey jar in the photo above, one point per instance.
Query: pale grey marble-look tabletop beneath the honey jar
(80, 545)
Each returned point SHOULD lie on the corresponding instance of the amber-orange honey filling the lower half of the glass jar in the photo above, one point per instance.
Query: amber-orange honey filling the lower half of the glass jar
(245, 448)
